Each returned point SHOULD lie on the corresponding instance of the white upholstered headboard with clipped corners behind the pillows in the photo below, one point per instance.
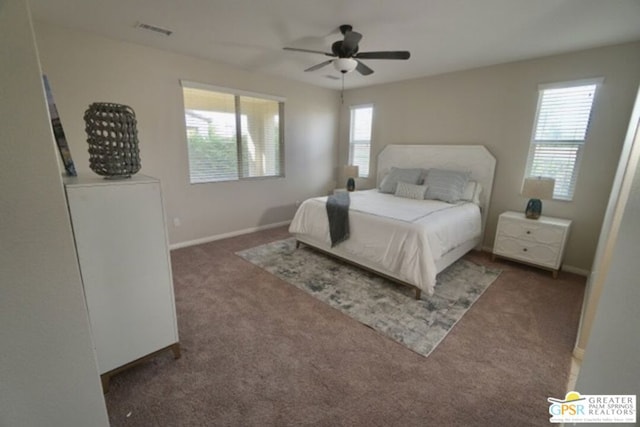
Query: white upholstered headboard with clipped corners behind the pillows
(475, 159)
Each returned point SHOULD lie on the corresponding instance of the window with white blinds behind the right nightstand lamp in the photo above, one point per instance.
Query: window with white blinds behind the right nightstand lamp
(559, 133)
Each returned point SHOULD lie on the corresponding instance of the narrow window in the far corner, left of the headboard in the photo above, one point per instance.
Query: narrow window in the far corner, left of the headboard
(360, 138)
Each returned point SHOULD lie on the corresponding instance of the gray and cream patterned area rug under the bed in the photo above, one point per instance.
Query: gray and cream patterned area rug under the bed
(385, 306)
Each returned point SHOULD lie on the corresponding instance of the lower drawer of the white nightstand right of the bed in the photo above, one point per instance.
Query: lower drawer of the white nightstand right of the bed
(531, 252)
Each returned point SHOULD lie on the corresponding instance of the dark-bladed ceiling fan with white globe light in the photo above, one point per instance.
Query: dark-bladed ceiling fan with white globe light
(346, 55)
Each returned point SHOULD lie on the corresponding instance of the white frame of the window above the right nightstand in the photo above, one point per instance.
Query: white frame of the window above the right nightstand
(578, 144)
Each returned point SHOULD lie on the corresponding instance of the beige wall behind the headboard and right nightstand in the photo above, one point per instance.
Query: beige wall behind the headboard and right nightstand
(495, 106)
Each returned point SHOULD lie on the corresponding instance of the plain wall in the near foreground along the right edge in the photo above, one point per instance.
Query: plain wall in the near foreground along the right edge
(610, 363)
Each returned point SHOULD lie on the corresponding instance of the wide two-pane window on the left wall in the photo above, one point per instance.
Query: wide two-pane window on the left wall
(231, 135)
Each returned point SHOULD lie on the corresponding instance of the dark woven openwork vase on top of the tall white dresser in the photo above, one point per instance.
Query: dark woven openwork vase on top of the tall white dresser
(113, 140)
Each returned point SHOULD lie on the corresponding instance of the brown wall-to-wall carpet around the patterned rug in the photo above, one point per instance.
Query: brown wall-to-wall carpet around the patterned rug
(258, 351)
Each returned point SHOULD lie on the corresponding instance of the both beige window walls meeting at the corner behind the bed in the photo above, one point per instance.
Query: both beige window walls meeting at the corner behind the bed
(493, 106)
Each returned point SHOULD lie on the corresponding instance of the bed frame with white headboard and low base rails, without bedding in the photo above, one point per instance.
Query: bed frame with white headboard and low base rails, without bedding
(475, 159)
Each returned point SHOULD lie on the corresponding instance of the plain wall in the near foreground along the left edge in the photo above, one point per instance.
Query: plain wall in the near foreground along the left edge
(48, 371)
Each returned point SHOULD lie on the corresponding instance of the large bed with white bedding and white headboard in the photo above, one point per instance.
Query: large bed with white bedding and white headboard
(406, 240)
